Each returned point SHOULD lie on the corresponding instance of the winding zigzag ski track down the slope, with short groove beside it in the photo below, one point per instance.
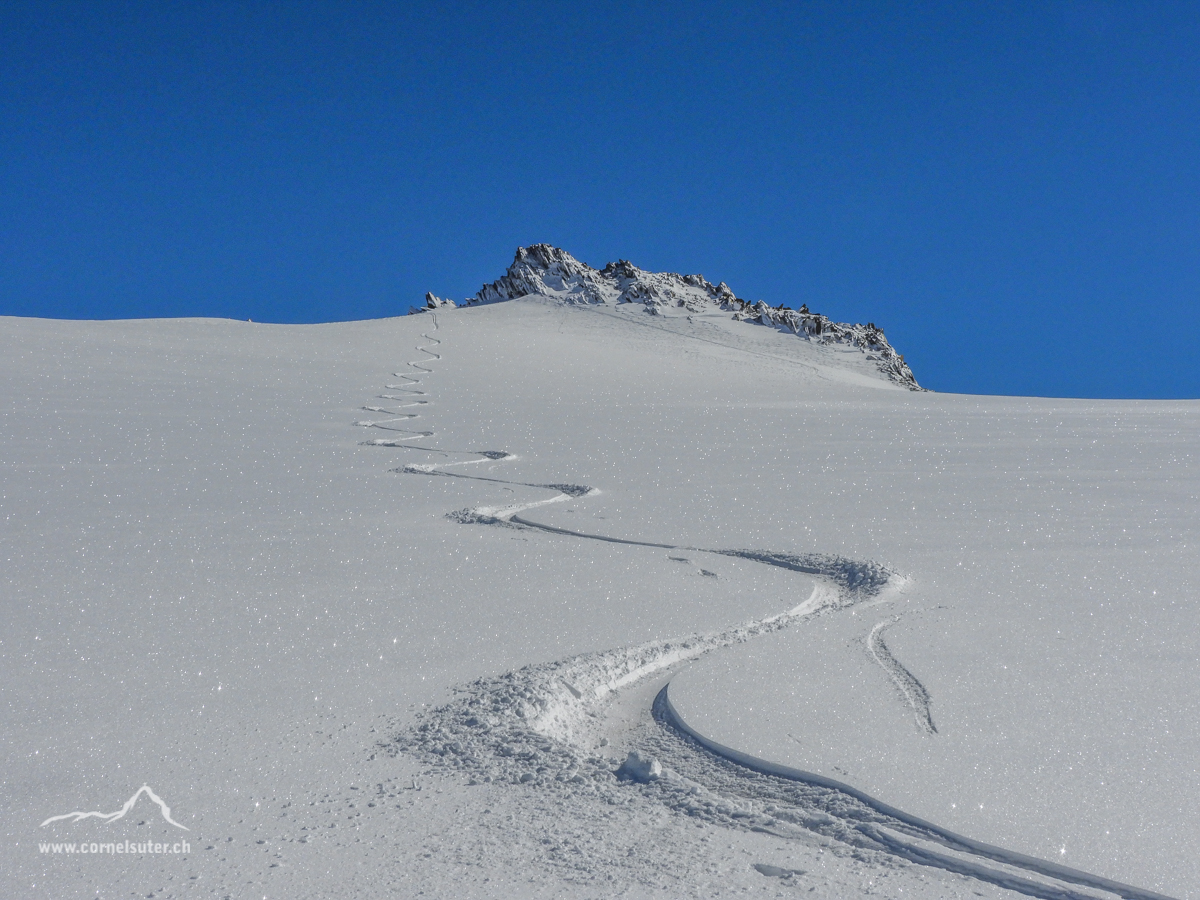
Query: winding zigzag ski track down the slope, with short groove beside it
(544, 725)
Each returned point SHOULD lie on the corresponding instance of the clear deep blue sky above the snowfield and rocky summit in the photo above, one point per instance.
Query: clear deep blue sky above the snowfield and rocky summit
(1012, 191)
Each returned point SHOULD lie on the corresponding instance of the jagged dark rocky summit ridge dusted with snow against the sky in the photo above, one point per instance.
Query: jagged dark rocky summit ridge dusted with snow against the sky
(543, 271)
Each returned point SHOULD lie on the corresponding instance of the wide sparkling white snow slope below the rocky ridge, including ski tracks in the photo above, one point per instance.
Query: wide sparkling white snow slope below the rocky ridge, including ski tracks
(386, 608)
